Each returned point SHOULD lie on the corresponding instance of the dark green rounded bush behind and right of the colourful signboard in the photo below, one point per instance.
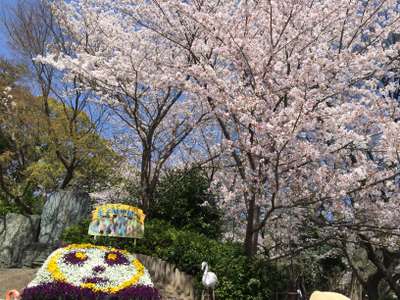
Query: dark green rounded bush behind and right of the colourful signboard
(183, 199)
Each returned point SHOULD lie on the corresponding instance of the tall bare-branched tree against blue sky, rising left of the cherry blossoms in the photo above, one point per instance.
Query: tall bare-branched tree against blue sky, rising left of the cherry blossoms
(32, 29)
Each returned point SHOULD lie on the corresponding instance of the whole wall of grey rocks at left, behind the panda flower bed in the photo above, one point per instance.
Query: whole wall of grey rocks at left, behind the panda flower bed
(28, 240)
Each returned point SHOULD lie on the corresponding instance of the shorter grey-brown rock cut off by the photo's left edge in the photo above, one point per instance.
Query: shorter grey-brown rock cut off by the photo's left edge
(17, 233)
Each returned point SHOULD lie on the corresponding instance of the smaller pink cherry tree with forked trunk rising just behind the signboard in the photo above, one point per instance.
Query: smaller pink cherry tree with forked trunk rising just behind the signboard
(110, 58)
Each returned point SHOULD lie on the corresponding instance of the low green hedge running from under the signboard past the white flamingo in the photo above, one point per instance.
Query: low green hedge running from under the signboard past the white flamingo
(239, 277)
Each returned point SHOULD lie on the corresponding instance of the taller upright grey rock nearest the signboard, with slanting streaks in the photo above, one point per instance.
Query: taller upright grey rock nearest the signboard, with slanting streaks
(61, 210)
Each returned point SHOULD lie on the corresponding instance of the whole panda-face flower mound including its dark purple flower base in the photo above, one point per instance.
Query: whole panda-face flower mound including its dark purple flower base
(85, 271)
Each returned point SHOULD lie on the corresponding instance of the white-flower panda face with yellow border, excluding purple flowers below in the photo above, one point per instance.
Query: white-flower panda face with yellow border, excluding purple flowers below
(100, 269)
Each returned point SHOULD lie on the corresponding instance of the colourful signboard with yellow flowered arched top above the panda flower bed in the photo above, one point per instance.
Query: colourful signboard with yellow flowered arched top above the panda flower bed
(117, 220)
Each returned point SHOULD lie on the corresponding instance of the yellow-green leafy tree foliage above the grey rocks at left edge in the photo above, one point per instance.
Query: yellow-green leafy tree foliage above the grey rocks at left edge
(38, 151)
